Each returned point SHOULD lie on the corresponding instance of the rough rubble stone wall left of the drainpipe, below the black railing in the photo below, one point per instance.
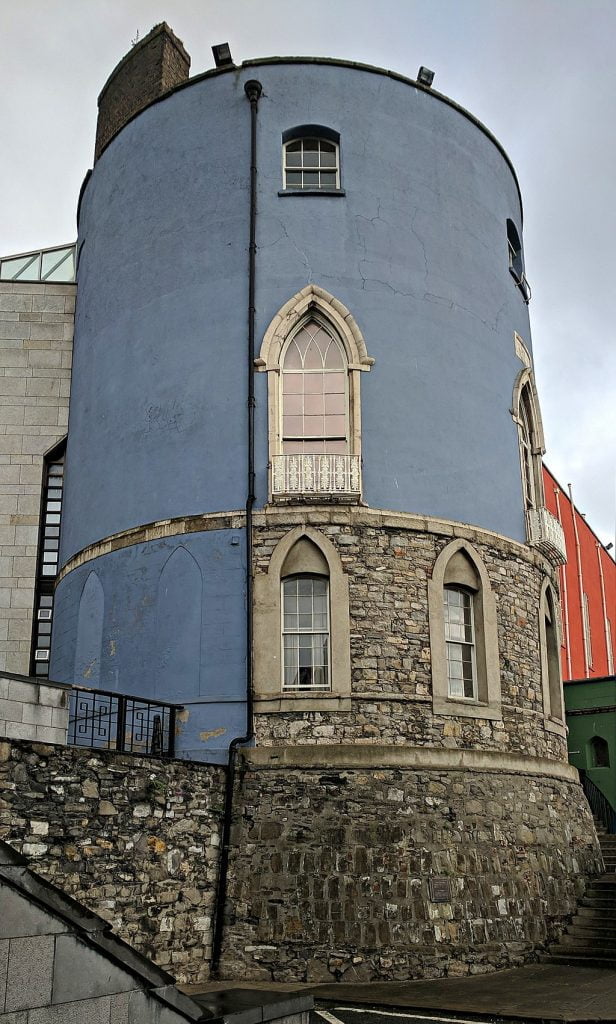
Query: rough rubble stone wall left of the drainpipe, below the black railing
(135, 839)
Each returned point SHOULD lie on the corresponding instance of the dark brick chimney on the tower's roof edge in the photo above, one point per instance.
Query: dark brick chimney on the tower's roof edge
(155, 65)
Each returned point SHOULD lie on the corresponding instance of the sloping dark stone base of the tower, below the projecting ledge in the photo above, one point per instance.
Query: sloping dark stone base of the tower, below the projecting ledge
(331, 872)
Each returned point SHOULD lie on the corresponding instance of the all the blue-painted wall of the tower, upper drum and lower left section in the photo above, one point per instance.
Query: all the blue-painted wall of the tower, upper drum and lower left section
(417, 249)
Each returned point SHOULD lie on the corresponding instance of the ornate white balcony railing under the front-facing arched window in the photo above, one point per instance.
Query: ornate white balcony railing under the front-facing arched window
(316, 475)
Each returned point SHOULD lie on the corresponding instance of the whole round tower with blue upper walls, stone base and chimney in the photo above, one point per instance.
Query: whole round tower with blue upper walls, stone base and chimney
(304, 501)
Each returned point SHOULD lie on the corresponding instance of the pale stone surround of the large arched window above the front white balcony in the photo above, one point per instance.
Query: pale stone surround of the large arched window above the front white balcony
(313, 302)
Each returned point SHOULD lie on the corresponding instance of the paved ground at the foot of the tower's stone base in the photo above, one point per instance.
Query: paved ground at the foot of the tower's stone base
(538, 993)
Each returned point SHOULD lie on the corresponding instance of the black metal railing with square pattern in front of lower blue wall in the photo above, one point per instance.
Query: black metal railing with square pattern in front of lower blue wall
(105, 720)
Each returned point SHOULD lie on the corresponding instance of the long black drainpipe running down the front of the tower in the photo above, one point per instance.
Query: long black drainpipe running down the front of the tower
(253, 92)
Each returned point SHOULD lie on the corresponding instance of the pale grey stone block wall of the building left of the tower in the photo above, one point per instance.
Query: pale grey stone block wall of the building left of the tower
(36, 343)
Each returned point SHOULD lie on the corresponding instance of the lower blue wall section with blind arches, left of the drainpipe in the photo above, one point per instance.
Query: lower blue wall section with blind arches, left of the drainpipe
(109, 631)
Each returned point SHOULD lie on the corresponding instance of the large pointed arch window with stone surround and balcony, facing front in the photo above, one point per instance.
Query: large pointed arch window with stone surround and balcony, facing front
(315, 354)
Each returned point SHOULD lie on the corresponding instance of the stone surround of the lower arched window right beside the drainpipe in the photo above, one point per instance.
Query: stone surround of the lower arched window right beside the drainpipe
(268, 667)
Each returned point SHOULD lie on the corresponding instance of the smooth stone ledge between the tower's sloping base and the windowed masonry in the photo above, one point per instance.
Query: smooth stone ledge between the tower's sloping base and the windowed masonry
(367, 756)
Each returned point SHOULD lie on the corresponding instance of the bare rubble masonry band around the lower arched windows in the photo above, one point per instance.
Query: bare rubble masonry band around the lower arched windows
(388, 569)
